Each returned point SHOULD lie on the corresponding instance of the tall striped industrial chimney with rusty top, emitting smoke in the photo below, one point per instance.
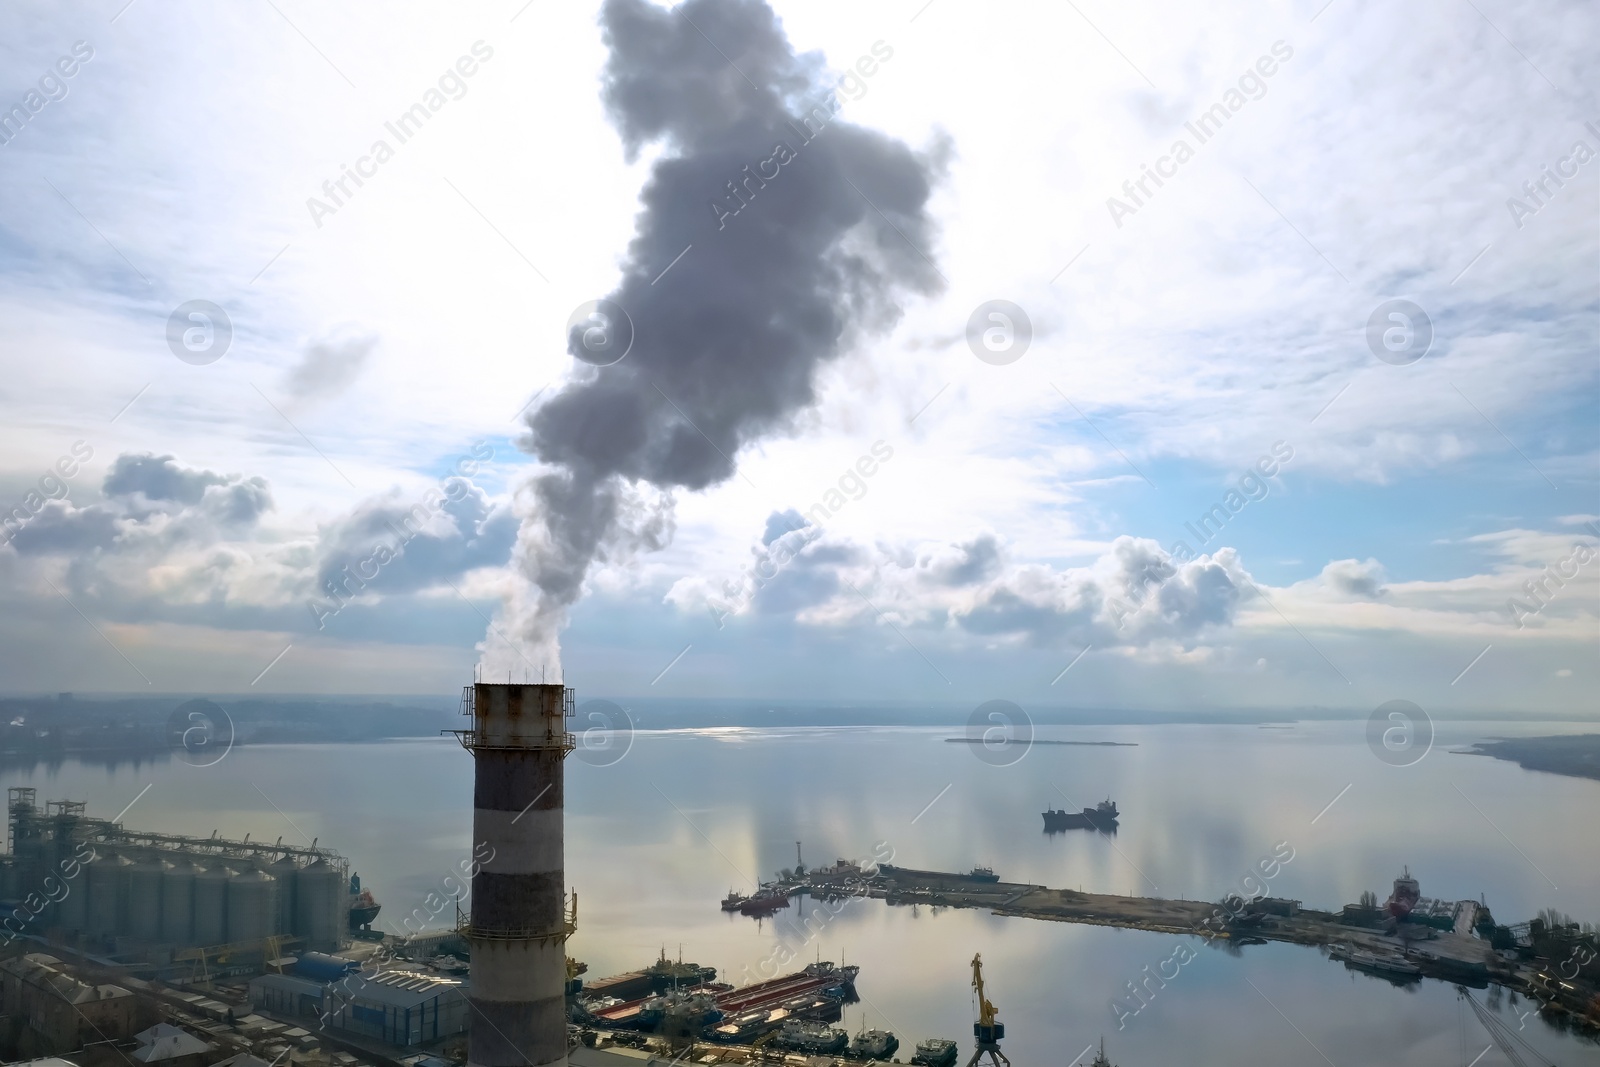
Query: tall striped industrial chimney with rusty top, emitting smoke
(518, 932)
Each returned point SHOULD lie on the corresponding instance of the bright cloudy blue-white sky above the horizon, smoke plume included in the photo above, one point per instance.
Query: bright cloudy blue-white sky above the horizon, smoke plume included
(1172, 358)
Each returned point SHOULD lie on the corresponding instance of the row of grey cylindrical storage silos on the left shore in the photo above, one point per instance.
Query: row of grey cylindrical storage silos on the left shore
(95, 882)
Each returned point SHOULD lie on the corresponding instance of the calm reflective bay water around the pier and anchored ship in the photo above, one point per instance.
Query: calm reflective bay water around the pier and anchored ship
(658, 837)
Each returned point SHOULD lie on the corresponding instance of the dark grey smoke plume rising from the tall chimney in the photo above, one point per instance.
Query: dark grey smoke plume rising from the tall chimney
(729, 343)
